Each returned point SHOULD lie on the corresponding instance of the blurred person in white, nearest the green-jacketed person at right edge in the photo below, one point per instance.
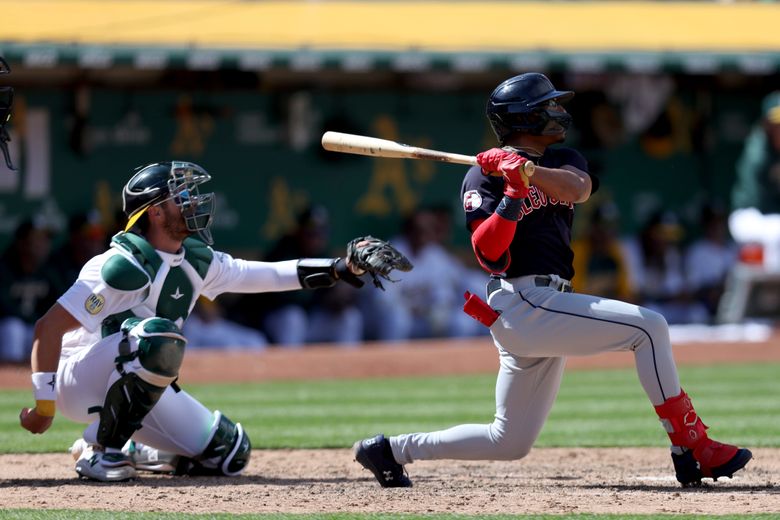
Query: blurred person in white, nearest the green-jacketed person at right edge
(709, 259)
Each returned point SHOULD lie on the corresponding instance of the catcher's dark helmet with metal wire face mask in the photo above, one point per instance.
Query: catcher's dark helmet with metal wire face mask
(176, 180)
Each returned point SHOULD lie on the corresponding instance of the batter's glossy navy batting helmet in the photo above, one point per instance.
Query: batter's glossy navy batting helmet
(519, 104)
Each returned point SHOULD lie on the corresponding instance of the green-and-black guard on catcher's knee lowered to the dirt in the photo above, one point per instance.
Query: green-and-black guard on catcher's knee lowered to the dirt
(227, 452)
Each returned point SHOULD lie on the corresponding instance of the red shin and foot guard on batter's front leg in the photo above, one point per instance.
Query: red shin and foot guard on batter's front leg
(685, 429)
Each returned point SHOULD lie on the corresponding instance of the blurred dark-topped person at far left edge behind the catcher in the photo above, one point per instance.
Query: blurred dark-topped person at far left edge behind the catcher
(27, 289)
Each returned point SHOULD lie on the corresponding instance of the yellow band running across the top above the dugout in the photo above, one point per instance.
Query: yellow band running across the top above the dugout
(393, 26)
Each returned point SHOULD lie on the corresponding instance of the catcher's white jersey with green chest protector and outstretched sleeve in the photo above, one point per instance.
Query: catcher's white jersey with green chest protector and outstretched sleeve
(134, 279)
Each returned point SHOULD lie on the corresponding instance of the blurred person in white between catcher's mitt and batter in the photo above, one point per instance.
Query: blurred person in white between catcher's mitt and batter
(428, 303)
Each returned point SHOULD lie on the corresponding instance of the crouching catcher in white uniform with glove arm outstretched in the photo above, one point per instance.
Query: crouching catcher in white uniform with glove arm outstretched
(108, 352)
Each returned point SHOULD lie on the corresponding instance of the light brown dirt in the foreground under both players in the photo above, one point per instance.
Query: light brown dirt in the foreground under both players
(318, 481)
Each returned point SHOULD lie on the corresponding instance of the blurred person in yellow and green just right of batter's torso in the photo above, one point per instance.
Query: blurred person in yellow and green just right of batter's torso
(600, 263)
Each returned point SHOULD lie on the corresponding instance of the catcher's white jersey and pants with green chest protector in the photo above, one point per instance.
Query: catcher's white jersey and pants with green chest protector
(134, 279)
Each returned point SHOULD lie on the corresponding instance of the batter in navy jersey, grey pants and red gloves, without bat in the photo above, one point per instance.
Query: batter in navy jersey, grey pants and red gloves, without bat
(521, 231)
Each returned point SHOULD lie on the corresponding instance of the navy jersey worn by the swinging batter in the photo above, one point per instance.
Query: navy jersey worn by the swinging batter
(541, 244)
